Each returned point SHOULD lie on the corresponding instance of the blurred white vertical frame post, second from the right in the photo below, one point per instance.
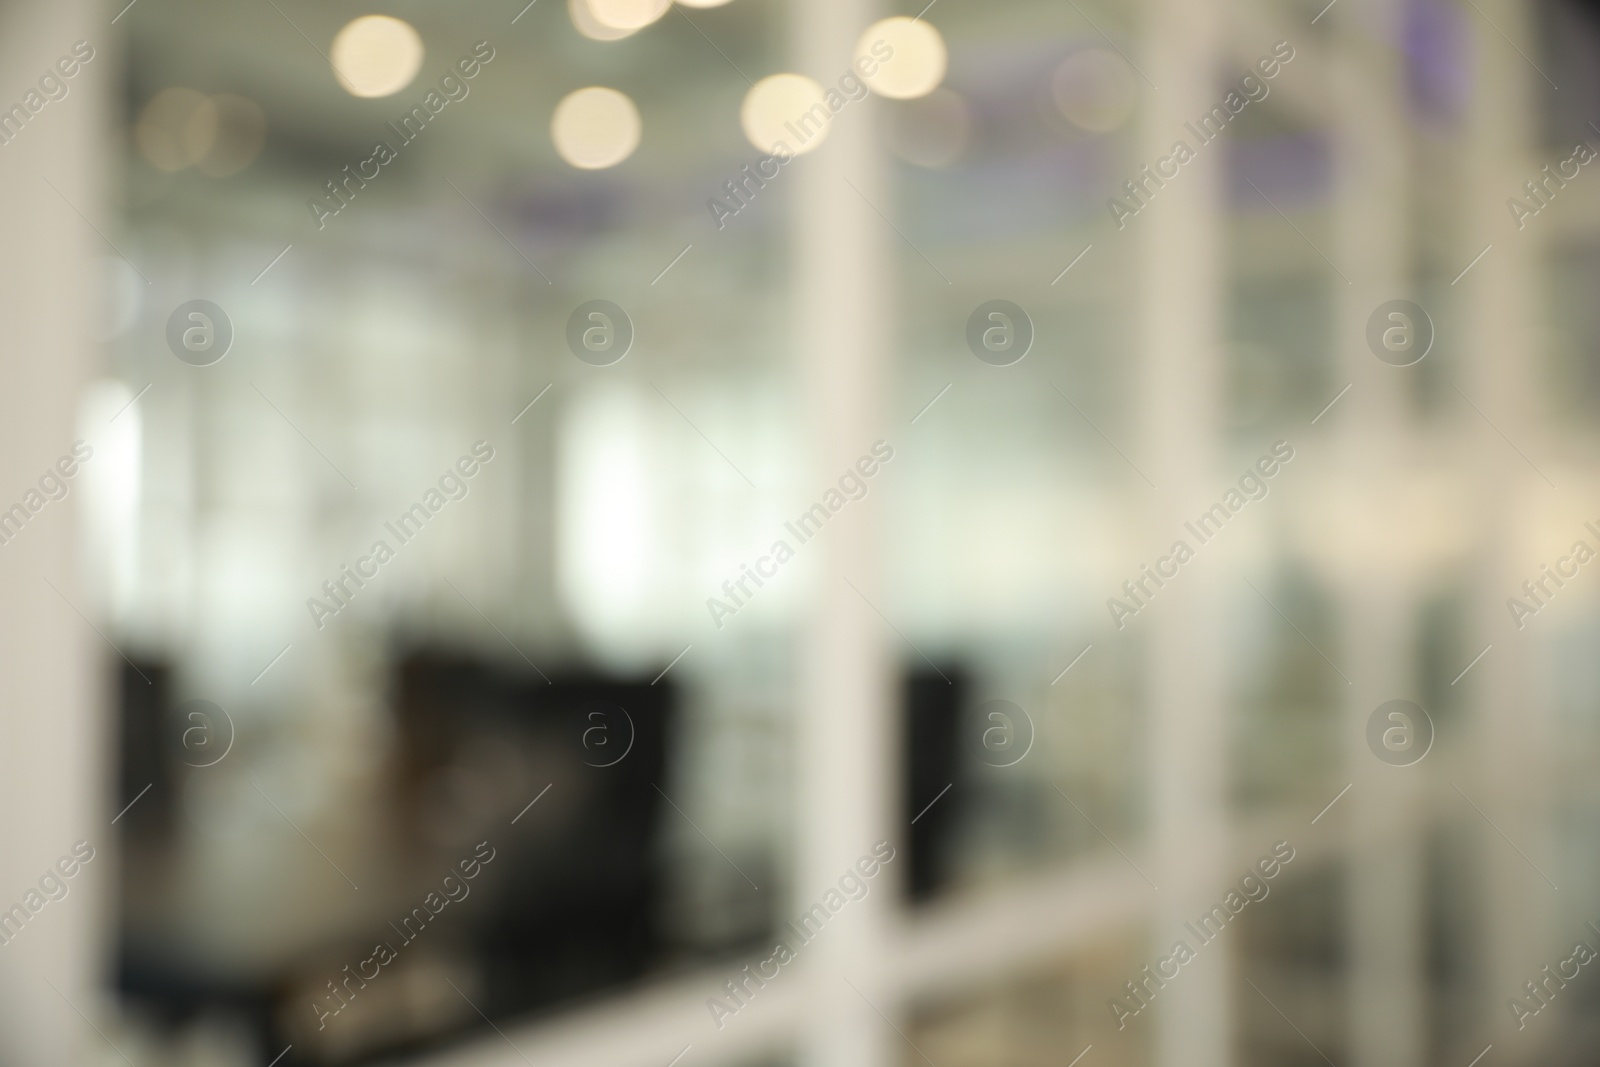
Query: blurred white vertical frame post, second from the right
(1385, 823)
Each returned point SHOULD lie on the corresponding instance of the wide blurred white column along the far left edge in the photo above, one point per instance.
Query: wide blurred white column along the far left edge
(55, 733)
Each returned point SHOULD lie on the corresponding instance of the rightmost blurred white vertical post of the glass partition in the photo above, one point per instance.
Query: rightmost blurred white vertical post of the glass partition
(1503, 343)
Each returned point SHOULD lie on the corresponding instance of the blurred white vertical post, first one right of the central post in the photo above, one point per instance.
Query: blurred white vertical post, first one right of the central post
(1182, 281)
